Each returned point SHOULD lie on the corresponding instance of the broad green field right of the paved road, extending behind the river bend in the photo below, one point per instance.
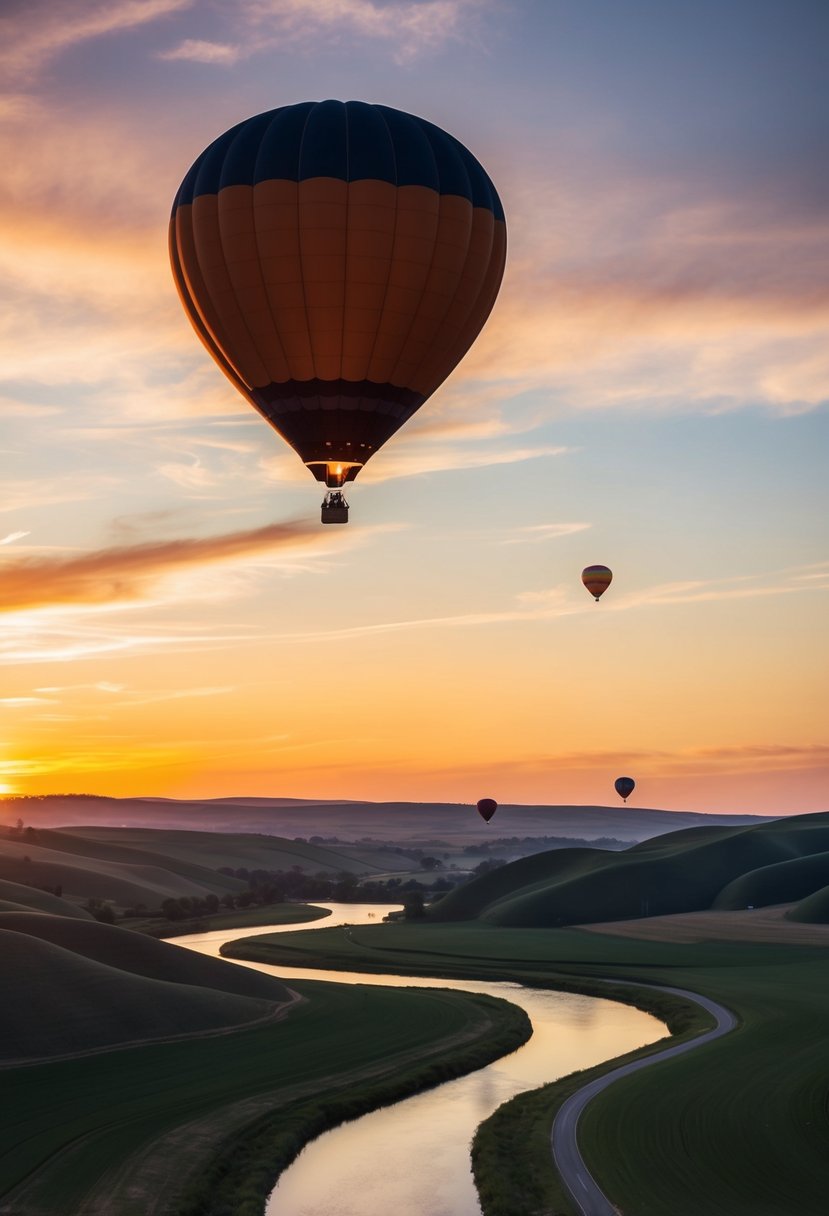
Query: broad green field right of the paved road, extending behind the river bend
(738, 1129)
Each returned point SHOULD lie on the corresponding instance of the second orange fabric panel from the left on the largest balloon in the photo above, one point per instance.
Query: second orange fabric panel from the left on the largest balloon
(240, 348)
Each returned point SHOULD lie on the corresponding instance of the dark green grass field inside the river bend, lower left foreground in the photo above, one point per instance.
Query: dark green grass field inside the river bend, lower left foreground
(223, 1117)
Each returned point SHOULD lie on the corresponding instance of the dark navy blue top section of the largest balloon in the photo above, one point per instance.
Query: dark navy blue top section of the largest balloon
(349, 140)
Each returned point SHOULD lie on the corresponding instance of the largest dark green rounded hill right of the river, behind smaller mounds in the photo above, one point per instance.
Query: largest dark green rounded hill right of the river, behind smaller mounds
(680, 872)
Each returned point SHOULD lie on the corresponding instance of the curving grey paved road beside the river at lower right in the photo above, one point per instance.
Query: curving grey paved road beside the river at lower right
(590, 1201)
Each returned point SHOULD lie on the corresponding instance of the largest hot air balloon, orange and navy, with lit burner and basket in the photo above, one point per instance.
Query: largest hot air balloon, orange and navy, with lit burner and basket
(337, 260)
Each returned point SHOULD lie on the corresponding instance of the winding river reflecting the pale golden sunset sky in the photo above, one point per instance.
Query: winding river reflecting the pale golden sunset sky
(413, 1158)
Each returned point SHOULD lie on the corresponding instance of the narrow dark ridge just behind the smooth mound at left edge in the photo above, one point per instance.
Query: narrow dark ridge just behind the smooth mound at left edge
(144, 956)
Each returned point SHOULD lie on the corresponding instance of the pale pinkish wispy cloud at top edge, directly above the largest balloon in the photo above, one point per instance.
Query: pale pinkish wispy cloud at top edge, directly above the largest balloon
(410, 29)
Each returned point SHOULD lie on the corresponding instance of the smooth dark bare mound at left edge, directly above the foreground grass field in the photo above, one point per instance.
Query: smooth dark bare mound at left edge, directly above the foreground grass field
(58, 1003)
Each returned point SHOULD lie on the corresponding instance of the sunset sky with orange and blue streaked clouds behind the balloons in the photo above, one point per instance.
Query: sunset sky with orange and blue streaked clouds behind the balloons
(650, 393)
